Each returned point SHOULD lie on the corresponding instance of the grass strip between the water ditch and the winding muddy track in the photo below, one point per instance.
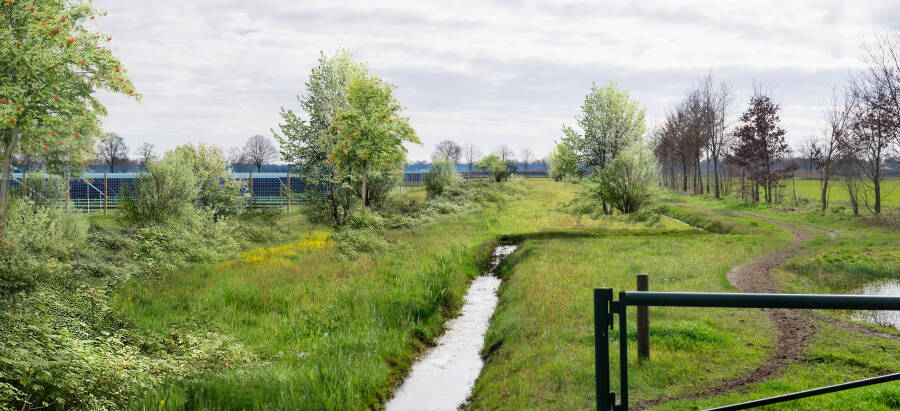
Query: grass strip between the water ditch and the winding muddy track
(540, 351)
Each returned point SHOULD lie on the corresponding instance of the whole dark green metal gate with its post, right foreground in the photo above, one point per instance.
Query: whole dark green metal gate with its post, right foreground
(605, 308)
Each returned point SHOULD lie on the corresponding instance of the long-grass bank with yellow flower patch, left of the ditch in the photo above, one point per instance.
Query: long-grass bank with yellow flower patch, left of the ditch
(327, 332)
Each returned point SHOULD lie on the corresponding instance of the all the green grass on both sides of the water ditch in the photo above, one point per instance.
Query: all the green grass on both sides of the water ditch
(324, 331)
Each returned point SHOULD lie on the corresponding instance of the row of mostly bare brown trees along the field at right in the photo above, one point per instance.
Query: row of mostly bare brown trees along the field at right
(861, 138)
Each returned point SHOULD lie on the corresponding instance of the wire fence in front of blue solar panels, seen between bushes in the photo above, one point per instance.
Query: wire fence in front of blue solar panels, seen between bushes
(102, 192)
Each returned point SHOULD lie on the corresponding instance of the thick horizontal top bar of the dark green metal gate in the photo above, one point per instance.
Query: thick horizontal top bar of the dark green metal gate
(741, 300)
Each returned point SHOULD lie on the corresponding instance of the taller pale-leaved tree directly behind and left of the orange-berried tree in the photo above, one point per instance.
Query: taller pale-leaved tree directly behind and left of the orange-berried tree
(305, 144)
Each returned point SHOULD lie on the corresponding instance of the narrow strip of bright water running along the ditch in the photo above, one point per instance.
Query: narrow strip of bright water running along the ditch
(443, 378)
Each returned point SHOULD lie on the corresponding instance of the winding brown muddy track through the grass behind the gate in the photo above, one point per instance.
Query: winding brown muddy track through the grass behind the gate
(793, 327)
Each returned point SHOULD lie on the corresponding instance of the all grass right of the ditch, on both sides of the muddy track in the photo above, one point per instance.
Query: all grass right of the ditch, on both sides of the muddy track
(539, 348)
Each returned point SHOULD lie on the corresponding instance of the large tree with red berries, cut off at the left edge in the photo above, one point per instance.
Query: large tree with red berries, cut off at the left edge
(52, 63)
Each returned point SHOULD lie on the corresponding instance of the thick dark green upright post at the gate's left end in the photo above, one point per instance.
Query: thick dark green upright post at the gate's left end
(602, 298)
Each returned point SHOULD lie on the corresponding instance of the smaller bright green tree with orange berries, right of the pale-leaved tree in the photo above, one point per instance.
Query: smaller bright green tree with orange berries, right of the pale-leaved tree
(369, 134)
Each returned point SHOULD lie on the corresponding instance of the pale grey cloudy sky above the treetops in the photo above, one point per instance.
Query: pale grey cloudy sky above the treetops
(480, 72)
